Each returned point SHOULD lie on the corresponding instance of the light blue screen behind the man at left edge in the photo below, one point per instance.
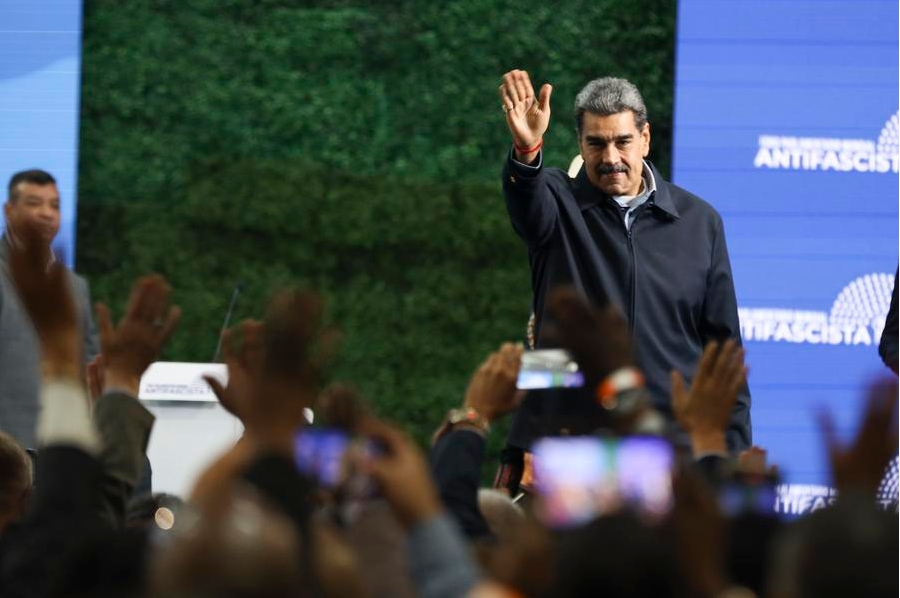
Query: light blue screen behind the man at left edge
(40, 66)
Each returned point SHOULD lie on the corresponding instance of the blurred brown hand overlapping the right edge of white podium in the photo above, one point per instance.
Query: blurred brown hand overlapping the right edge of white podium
(243, 351)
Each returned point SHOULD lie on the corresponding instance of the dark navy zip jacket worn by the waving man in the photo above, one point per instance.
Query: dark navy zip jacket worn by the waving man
(670, 275)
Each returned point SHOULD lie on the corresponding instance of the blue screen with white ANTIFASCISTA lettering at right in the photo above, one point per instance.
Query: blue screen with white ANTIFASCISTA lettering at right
(786, 120)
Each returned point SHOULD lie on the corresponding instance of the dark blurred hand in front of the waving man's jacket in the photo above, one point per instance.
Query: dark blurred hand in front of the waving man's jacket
(598, 339)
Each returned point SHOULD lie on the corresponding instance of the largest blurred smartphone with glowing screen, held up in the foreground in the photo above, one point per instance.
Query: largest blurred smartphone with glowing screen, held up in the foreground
(580, 478)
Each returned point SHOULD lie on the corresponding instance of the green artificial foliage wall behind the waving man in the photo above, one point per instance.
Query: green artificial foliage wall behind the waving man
(351, 147)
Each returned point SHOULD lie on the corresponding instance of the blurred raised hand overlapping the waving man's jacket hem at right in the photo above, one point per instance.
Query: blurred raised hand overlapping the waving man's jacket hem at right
(705, 410)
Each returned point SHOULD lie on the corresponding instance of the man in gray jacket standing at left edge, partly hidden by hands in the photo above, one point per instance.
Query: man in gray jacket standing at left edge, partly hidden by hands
(33, 198)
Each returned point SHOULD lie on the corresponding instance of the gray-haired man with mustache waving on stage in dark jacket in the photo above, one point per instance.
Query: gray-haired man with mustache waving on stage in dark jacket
(617, 232)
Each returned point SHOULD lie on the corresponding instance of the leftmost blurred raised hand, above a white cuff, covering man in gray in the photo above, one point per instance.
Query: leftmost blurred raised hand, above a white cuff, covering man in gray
(45, 294)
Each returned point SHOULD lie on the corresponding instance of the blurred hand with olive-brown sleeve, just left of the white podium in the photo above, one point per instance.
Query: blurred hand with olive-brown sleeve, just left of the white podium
(129, 348)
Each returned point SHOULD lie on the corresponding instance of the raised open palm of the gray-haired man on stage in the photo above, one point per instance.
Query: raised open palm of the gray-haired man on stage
(527, 114)
